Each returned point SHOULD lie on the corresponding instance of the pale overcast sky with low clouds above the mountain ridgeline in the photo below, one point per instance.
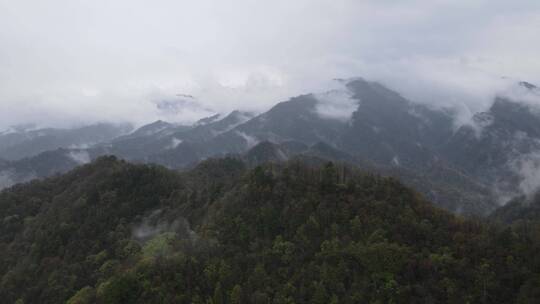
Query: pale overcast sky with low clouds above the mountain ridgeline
(78, 61)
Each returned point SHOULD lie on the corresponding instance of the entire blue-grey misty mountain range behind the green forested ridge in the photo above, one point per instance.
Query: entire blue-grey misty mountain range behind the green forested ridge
(467, 170)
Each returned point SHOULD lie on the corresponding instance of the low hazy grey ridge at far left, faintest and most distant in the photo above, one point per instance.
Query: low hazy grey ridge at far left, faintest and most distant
(18, 143)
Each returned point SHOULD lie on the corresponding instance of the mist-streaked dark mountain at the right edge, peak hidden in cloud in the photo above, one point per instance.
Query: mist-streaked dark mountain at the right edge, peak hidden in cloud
(499, 143)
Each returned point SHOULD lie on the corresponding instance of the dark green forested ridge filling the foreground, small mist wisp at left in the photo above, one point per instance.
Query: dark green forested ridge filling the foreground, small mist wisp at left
(224, 232)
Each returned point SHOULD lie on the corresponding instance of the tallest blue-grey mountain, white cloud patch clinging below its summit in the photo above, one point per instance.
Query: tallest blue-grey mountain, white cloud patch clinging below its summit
(386, 133)
